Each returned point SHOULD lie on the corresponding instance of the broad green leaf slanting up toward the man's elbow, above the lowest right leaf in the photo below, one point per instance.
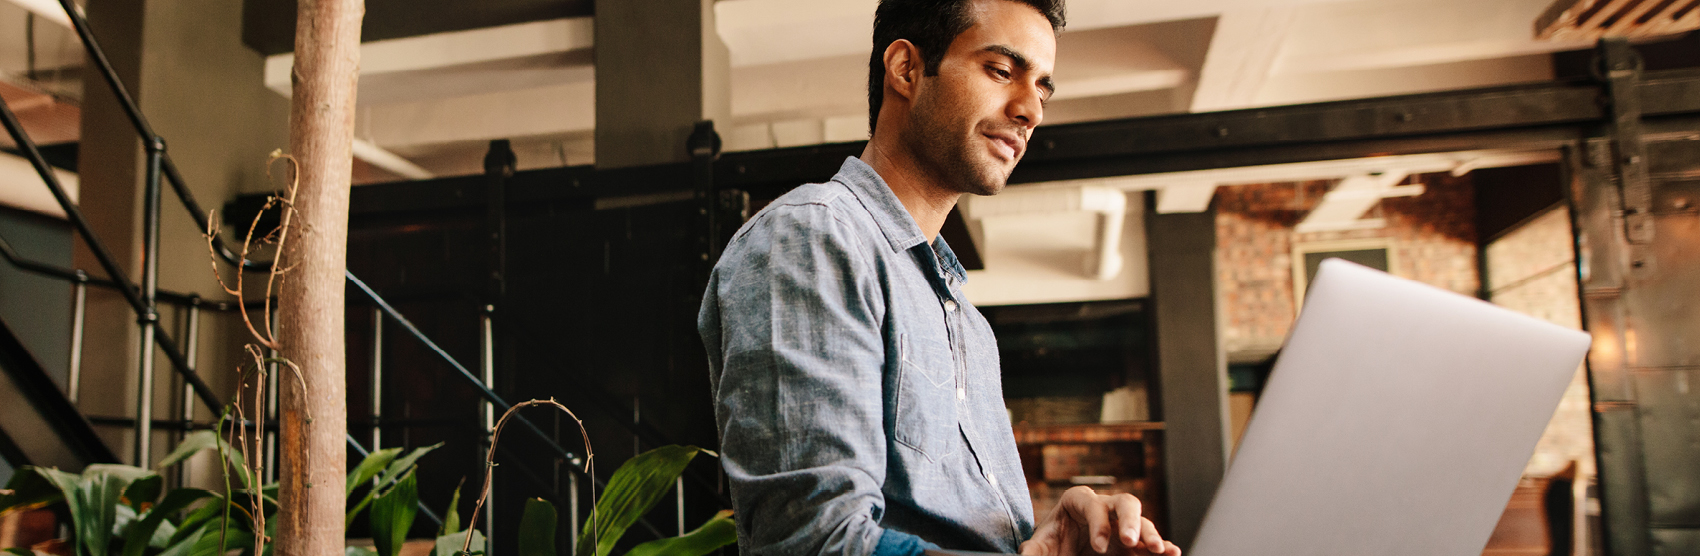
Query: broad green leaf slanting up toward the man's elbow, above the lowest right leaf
(633, 491)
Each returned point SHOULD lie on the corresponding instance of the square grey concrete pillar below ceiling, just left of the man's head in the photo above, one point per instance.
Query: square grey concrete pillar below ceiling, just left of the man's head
(660, 69)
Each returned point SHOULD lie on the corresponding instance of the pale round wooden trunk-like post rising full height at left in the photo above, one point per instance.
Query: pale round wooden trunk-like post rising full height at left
(315, 419)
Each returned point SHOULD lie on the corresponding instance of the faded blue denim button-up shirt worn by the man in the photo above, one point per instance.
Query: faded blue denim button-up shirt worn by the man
(856, 390)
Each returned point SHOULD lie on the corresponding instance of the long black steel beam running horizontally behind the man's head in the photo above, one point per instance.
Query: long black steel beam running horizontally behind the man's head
(1538, 115)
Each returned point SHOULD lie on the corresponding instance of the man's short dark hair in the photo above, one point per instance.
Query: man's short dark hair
(932, 26)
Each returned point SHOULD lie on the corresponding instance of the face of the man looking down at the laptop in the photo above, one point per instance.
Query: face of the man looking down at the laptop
(970, 123)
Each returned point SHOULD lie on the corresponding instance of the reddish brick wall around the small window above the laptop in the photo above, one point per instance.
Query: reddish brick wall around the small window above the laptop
(1432, 241)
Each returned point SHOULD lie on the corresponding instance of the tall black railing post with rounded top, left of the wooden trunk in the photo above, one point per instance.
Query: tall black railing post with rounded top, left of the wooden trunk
(150, 315)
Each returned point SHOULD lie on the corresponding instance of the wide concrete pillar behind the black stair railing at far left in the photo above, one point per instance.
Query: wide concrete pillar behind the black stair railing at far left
(203, 91)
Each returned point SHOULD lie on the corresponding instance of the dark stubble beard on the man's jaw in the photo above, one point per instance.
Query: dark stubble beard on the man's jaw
(949, 152)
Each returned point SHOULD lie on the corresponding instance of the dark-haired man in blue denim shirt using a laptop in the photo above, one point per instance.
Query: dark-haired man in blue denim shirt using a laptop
(858, 394)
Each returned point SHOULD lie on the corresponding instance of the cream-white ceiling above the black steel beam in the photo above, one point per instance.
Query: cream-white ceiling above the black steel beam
(800, 69)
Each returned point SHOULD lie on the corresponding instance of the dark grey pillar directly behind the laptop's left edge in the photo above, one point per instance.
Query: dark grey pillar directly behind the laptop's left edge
(1191, 365)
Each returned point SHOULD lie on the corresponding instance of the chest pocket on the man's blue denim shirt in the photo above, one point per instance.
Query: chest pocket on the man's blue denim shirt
(927, 399)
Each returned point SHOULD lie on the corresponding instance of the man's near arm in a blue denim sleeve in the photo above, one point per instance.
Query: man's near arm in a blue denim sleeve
(800, 387)
